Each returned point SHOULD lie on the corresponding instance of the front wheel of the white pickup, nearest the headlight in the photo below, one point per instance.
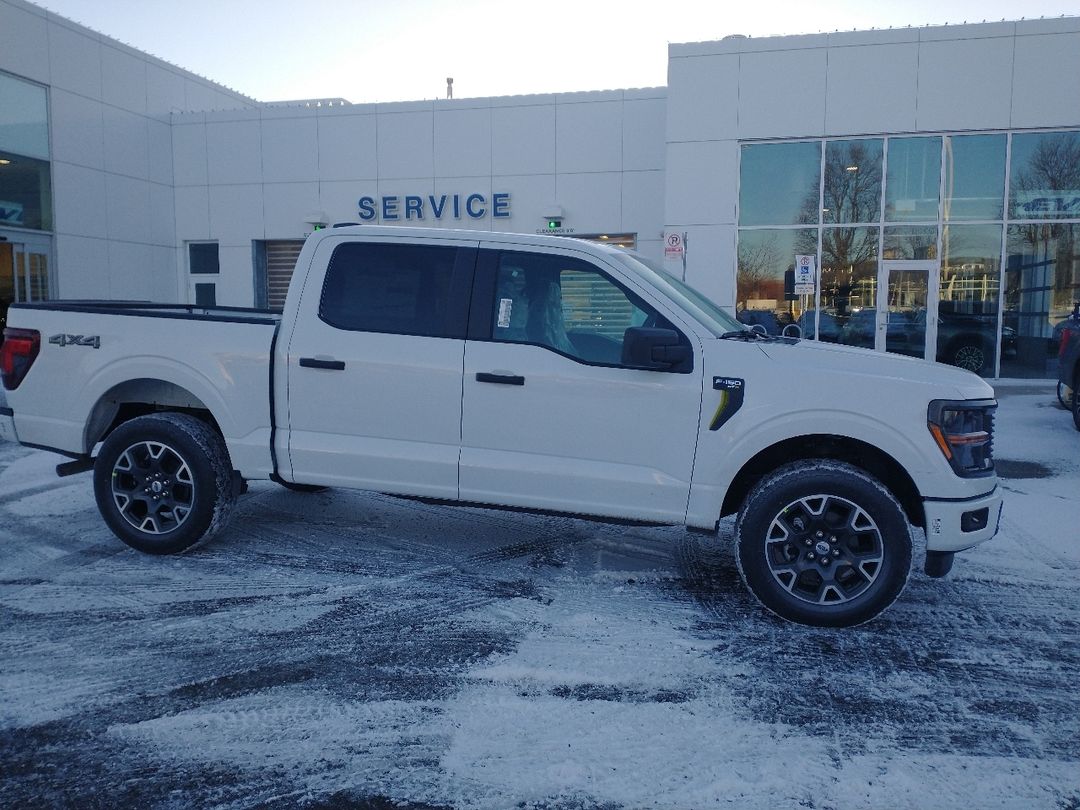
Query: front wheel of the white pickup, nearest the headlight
(822, 543)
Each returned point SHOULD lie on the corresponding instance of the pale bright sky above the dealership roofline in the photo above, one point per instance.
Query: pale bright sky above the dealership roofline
(403, 50)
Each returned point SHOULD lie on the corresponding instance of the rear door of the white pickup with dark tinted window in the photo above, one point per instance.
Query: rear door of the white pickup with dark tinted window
(375, 367)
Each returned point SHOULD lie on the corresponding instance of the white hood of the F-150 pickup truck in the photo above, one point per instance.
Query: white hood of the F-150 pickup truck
(812, 359)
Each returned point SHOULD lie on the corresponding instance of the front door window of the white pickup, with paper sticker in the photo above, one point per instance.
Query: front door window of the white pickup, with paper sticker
(565, 305)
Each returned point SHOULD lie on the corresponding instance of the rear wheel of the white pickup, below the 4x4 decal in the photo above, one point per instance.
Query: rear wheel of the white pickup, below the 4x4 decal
(164, 483)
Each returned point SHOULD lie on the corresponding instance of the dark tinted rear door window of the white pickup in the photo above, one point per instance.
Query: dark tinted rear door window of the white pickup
(399, 289)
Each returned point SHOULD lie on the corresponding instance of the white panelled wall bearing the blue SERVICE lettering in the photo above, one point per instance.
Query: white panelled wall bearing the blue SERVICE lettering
(256, 174)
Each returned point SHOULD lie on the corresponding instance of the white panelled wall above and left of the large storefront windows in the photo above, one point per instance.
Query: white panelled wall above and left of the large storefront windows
(997, 76)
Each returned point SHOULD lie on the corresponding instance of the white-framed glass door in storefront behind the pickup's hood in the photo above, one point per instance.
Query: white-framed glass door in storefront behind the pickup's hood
(907, 319)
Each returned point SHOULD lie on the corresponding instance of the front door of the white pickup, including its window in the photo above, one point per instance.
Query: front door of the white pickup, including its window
(553, 418)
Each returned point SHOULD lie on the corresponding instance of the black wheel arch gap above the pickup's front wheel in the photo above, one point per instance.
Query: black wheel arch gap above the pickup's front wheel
(857, 453)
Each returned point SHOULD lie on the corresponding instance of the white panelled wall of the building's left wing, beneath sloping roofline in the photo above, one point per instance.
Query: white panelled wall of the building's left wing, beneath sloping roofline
(115, 224)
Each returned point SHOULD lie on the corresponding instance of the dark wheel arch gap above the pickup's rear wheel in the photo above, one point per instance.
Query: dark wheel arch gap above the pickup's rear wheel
(139, 398)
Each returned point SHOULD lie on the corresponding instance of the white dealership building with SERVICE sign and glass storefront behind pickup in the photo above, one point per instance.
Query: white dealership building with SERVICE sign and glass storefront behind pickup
(914, 191)
